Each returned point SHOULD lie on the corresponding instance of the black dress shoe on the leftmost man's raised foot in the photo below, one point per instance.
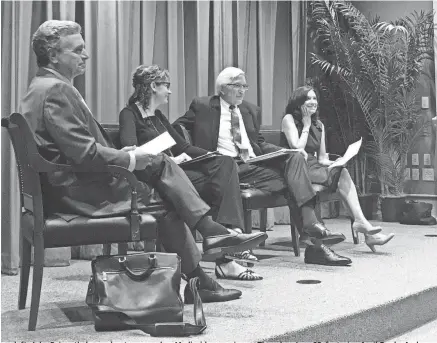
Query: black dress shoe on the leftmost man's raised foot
(216, 246)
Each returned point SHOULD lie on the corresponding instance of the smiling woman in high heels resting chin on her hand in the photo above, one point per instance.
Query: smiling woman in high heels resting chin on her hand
(301, 128)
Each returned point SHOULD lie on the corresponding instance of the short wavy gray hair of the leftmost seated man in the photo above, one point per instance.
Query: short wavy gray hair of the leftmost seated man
(48, 35)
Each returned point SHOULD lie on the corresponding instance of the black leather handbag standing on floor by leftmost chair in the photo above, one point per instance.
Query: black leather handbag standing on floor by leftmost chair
(142, 291)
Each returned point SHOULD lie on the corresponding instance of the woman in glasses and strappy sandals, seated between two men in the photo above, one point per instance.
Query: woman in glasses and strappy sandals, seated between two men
(215, 179)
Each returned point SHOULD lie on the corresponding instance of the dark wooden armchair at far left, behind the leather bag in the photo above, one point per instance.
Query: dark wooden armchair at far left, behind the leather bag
(42, 231)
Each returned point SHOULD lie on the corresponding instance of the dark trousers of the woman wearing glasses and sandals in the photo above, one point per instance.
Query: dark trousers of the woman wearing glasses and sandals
(218, 184)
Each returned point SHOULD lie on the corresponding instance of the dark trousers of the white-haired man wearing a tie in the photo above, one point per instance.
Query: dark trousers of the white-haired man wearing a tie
(277, 175)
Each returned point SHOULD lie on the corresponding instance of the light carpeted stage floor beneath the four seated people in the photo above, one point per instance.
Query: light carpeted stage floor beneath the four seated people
(380, 296)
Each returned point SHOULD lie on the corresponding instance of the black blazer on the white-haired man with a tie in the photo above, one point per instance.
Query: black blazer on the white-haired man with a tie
(202, 121)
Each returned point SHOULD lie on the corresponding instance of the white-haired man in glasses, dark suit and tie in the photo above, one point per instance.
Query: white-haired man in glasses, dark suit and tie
(228, 124)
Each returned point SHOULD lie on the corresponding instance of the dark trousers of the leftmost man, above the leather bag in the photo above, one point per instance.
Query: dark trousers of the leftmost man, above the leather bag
(184, 205)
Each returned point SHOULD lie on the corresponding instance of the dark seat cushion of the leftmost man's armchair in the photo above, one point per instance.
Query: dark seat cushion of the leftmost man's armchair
(84, 231)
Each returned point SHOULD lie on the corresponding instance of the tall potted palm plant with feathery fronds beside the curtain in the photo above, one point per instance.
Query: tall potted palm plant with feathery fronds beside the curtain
(381, 65)
